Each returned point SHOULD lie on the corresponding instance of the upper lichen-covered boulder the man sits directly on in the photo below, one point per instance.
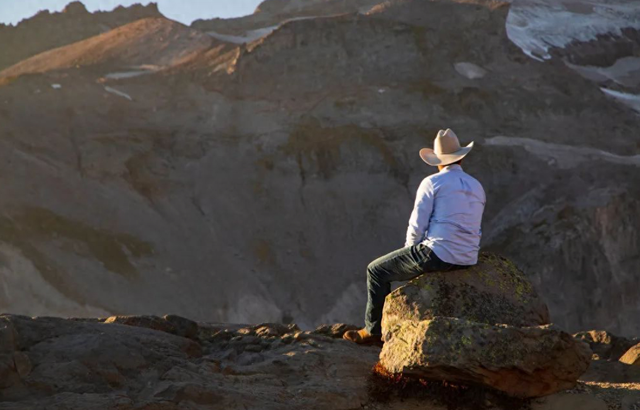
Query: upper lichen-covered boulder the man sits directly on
(492, 291)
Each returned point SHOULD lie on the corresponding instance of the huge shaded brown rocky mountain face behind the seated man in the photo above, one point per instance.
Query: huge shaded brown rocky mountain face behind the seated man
(251, 174)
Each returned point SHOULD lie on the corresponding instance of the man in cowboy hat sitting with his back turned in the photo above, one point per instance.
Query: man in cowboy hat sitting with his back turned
(443, 234)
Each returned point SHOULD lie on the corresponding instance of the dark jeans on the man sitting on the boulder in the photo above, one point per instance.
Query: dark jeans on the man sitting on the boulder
(400, 265)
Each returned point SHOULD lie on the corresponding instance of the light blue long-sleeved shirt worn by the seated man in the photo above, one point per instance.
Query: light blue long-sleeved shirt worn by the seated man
(447, 215)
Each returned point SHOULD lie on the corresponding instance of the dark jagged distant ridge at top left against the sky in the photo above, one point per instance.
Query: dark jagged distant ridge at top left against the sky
(48, 30)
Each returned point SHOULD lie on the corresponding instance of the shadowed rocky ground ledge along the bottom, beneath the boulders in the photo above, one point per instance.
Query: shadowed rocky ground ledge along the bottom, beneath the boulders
(148, 362)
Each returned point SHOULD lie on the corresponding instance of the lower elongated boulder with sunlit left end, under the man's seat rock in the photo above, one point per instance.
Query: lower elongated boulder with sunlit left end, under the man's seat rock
(520, 361)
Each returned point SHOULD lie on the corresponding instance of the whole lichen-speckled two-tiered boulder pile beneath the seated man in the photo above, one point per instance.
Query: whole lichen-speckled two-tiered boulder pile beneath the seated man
(484, 325)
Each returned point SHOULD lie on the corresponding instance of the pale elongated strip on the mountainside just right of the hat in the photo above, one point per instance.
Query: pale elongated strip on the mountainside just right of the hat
(563, 156)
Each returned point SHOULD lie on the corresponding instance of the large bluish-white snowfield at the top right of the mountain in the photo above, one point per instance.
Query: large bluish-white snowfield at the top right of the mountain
(537, 25)
